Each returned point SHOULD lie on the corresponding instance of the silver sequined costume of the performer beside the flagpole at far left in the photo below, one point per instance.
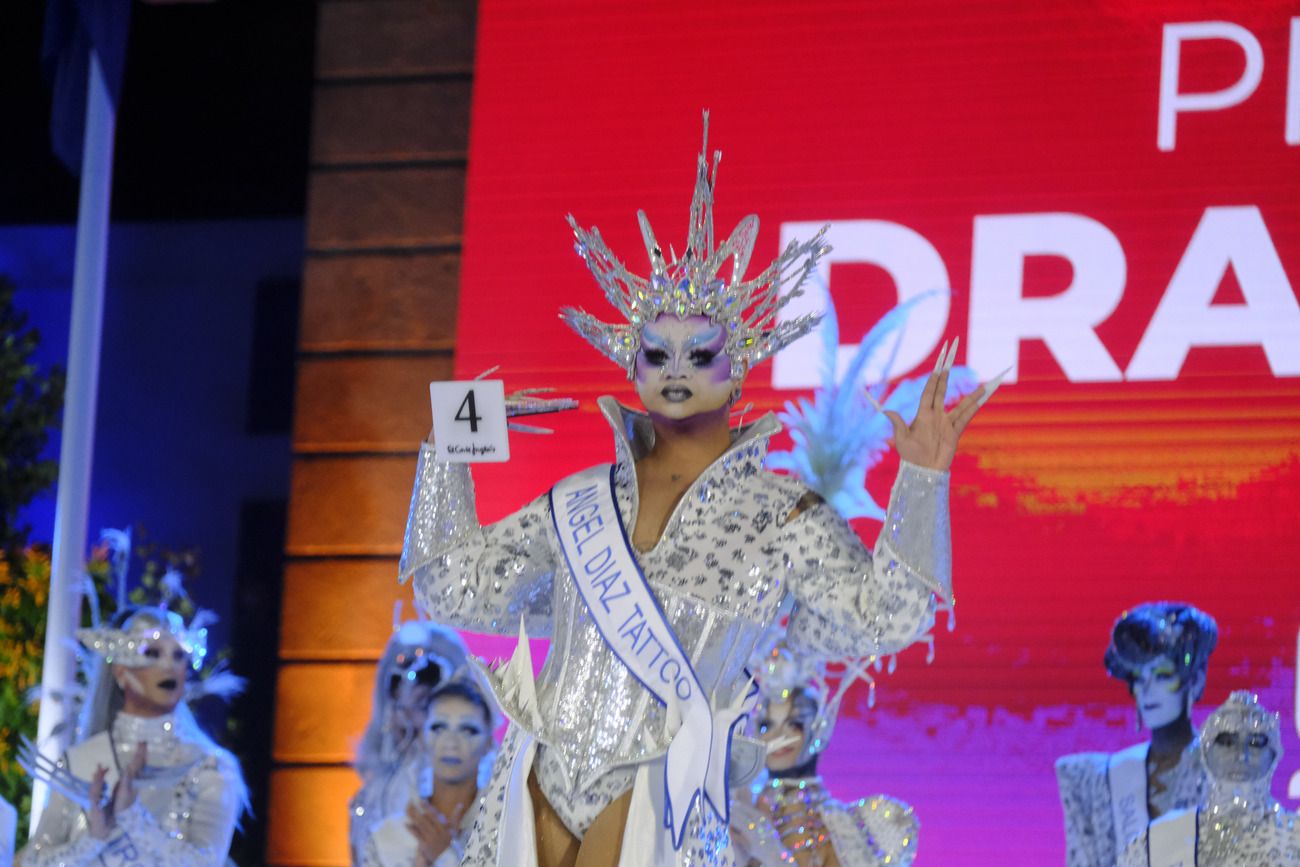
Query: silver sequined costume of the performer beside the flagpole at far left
(187, 823)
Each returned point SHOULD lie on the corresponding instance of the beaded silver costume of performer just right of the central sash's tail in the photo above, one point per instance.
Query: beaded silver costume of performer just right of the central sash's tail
(791, 822)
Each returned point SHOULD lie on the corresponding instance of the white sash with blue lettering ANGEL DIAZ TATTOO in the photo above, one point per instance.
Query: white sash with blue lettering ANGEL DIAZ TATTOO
(630, 619)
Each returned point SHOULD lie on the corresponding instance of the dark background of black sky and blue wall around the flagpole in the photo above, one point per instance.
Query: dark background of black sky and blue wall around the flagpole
(196, 397)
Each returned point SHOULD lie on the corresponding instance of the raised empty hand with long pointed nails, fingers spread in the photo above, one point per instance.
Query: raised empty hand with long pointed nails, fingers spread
(931, 439)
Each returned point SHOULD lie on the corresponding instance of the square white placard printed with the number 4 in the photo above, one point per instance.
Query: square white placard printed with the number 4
(470, 422)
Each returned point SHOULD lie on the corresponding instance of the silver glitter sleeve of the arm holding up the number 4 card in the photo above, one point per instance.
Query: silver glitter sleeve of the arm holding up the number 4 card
(476, 578)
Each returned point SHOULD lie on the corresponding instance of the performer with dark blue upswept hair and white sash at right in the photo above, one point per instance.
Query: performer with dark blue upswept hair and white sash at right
(1162, 651)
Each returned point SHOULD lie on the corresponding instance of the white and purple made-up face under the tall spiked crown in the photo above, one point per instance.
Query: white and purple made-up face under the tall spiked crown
(683, 370)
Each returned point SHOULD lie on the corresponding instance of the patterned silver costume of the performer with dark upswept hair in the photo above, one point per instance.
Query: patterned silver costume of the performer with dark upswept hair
(1086, 801)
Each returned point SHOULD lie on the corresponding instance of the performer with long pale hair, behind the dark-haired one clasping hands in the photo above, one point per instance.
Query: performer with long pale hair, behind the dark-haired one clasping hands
(418, 660)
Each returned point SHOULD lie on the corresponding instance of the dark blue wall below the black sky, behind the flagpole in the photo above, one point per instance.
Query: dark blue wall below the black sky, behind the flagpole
(181, 440)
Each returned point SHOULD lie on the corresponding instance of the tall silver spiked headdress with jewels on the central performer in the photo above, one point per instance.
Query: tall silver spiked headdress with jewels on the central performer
(695, 284)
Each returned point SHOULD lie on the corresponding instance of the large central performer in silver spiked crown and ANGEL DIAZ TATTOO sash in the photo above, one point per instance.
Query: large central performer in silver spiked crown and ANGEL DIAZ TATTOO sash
(656, 576)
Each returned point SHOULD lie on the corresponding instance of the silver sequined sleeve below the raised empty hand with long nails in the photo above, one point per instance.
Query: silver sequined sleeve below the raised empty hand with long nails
(851, 602)
